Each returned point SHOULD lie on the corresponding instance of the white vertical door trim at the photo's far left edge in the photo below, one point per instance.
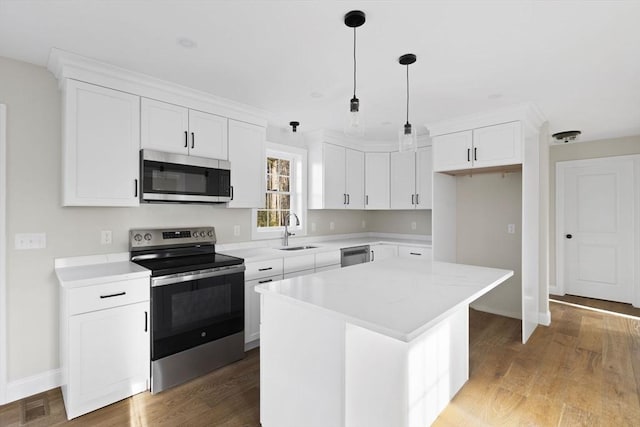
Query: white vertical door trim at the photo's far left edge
(3, 254)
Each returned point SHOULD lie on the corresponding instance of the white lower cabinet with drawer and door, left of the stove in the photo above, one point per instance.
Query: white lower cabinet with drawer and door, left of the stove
(104, 344)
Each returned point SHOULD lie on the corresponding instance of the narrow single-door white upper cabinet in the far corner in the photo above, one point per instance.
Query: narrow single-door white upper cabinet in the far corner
(376, 181)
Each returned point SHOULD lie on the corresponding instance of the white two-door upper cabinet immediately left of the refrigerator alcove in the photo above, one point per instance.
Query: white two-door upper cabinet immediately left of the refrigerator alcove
(411, 177)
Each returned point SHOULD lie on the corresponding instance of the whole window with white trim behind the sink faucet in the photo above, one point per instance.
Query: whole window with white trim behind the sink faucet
(285, 177)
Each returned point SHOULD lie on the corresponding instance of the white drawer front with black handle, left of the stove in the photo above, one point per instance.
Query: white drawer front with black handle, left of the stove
(108, 295)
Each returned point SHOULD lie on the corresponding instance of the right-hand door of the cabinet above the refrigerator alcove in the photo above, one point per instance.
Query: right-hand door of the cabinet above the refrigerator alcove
(497, 145)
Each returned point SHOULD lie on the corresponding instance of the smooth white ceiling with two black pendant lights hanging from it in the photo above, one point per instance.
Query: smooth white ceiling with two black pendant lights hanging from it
(578, 61)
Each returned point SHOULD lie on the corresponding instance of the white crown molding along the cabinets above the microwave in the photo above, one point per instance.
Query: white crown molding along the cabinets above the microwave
(66, 65)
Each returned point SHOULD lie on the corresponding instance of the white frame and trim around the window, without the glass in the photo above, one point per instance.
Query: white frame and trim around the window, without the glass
(297, 190)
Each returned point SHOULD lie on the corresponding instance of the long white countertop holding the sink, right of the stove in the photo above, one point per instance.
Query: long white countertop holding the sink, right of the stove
(260, 253)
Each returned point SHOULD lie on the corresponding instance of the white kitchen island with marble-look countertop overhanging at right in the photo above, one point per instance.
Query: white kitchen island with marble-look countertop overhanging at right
(378, 344)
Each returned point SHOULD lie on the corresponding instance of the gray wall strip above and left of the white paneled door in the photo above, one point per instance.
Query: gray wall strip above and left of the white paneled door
(579, 151)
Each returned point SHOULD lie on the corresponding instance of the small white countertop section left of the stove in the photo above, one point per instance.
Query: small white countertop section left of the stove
(92, 274)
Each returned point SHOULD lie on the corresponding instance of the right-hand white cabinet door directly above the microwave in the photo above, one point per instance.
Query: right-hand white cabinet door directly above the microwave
(207, 135)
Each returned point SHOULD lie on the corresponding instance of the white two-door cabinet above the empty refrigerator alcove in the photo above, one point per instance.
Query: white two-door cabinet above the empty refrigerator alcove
(483, 147)
